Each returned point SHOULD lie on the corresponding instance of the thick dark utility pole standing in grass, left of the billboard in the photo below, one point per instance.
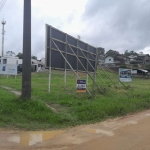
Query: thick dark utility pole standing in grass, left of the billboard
(26, 73)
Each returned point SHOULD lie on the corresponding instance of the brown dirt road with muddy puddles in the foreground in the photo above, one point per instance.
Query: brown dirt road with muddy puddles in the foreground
(131, 132)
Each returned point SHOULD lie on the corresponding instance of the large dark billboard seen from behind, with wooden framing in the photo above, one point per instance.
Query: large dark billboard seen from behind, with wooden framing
(69, 47)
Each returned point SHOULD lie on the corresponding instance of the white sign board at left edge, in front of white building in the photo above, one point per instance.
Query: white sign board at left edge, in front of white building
(6, 69)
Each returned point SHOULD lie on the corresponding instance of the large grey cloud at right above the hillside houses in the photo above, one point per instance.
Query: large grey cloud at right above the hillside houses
(118, 25)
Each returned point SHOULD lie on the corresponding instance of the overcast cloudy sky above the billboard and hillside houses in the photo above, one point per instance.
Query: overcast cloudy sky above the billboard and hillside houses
(112, 24)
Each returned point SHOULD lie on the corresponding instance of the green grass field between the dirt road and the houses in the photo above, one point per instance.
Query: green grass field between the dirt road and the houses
(64, 107)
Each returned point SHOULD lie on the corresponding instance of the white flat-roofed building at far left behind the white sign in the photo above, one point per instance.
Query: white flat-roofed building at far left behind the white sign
(10, 60)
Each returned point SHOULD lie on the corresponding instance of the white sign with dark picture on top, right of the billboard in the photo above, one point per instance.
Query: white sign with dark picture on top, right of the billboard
(125, 75)
